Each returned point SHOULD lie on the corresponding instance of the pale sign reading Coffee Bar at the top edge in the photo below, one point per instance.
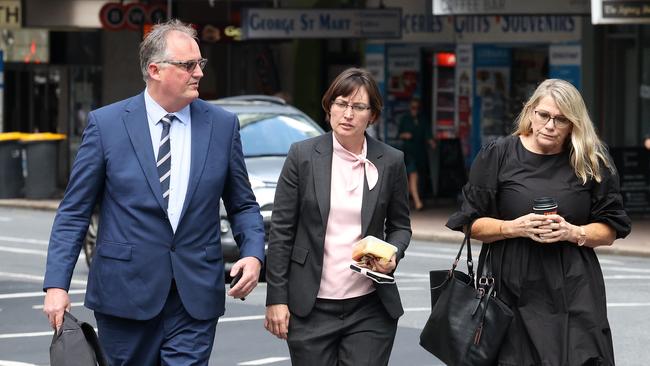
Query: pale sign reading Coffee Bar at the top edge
(501, 7)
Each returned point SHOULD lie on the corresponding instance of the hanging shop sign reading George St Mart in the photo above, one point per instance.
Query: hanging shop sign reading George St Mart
(321, 23)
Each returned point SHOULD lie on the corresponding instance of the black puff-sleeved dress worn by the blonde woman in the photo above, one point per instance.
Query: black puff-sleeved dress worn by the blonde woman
(556, 291)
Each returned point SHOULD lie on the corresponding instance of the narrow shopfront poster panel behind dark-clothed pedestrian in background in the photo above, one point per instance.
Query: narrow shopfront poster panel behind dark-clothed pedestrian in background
(402, 84)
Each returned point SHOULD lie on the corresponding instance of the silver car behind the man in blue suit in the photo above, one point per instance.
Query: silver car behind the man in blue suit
(268, 127)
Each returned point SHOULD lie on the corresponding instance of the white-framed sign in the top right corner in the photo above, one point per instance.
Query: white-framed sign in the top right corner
(620, 11)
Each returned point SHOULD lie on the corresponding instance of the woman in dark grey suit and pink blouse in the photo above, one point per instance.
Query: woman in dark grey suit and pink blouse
(334, 190)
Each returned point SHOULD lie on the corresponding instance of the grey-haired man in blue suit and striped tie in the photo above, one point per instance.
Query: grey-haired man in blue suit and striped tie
(159, 163)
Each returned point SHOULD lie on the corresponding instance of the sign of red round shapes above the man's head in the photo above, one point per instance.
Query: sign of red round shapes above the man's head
(133, 16)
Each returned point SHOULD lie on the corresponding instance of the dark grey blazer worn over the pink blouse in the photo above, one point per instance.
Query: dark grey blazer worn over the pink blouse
(300, 213)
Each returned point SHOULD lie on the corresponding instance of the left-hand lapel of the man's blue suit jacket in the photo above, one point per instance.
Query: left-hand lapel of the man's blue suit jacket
(137, 126)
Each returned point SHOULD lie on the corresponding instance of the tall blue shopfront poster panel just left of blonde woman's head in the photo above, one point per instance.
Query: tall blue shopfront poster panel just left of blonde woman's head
(491, 90)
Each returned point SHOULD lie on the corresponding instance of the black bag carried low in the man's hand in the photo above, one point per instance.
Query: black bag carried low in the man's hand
(76, 344)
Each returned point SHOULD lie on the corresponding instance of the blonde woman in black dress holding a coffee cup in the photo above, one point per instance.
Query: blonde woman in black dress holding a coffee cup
(545, 267)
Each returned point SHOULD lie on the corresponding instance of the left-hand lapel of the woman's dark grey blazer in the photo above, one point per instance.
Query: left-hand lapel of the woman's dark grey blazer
(322, 172)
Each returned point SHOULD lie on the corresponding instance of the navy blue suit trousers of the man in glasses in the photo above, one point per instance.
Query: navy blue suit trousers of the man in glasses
(173, 337)
